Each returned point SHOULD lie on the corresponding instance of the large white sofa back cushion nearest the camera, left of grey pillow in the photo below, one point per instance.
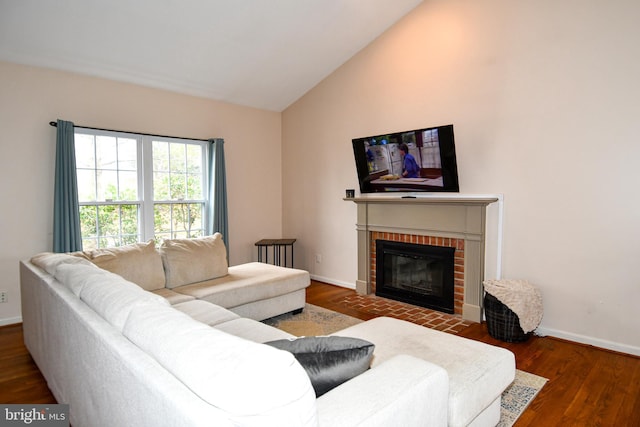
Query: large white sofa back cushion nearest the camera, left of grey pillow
(254, 383)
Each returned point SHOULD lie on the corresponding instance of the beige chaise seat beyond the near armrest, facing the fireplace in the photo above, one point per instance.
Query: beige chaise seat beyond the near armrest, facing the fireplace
(478, 372)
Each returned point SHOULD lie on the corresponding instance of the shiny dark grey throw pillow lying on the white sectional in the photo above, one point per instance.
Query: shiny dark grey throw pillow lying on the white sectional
(329, 361)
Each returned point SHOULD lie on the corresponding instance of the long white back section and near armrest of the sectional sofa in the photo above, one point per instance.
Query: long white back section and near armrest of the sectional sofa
(123, 356)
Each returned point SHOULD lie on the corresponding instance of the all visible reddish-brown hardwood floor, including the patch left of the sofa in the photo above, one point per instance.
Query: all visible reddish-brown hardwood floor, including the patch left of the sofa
(587, 386)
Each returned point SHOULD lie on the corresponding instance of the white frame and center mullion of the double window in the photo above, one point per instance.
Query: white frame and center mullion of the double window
(146, 202)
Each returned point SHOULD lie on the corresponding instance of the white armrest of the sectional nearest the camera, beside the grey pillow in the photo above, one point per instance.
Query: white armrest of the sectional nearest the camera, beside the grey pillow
(403, 391)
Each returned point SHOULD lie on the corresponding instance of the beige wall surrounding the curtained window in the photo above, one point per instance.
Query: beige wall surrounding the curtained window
(30, 98)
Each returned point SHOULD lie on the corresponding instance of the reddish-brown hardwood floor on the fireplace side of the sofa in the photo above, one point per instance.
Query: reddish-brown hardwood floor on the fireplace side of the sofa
(587, 386)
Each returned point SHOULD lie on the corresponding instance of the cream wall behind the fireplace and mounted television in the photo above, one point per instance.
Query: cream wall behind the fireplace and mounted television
(543, 96)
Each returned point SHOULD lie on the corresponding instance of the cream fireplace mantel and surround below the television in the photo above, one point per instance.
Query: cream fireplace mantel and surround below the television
(454, 215)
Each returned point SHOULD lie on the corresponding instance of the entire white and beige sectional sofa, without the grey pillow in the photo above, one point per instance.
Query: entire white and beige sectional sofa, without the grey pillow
(125, 345)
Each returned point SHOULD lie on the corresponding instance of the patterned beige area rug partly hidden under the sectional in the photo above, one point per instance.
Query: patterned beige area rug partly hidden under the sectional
(316, 320)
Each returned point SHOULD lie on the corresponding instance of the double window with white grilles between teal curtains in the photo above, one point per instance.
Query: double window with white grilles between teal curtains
(135, 188)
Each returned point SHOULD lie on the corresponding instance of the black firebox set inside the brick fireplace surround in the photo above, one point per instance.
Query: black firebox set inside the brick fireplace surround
(418, 274)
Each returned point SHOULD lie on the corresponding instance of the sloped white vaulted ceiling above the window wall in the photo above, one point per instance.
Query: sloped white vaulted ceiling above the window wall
(259, 53)
